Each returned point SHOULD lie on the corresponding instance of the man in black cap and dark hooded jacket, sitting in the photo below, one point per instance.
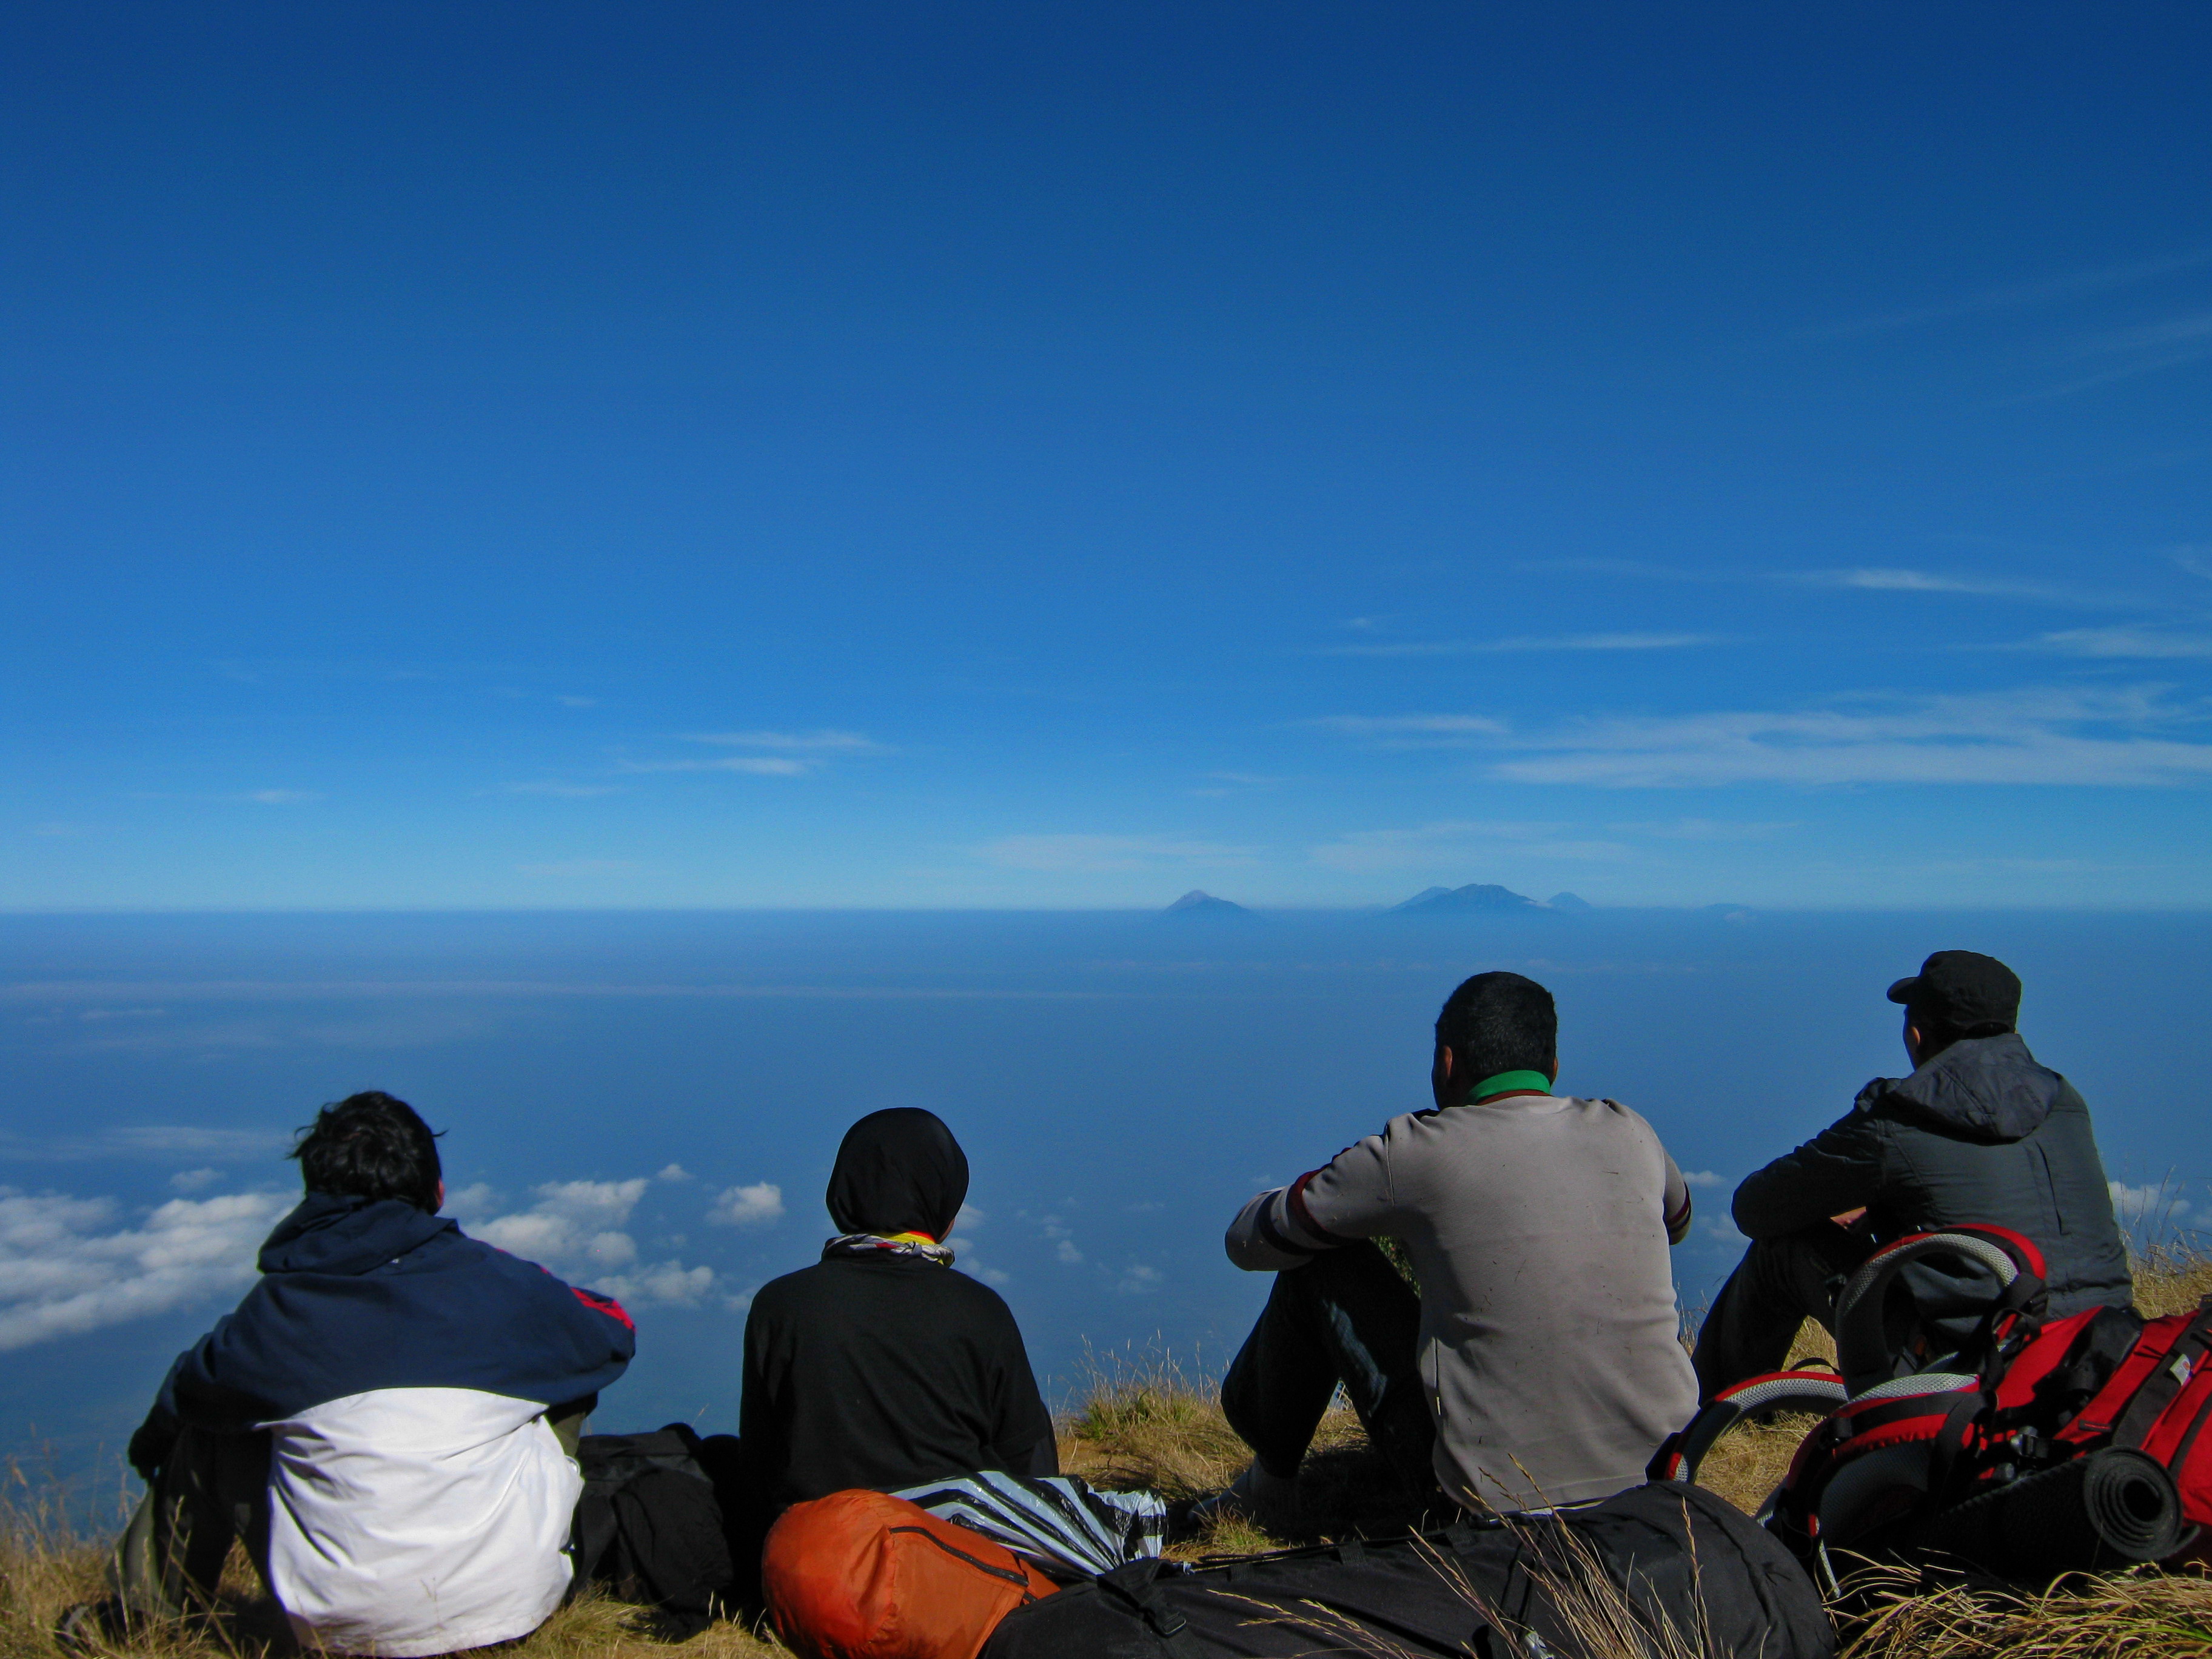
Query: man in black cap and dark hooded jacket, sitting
(1976, 1134)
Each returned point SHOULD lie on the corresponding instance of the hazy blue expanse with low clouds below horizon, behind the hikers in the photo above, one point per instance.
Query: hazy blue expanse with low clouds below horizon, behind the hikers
(649, 1103)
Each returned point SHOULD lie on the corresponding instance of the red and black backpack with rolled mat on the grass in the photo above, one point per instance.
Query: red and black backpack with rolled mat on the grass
(2030, 1448)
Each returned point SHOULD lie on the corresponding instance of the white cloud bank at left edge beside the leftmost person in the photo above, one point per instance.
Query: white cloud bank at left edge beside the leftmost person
(67, 1269)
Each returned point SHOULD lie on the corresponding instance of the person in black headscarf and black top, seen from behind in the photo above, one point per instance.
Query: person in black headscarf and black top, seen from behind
(881, 1366)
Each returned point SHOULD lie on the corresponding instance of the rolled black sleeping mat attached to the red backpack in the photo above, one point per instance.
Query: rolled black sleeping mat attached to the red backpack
(2107, 1510)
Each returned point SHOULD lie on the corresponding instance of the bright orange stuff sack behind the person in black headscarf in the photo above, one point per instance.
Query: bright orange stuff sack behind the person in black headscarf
(866, 1576)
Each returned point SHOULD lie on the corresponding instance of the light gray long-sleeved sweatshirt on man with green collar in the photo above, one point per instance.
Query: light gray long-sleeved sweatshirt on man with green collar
(1550, 1337)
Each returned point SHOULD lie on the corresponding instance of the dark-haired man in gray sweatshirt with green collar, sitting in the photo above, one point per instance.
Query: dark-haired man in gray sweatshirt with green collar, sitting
(1541, 1364)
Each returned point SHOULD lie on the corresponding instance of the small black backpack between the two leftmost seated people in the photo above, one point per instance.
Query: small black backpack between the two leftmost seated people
(651, 1532)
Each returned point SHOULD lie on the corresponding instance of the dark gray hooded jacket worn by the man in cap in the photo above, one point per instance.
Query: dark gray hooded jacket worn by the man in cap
(1979, 1134)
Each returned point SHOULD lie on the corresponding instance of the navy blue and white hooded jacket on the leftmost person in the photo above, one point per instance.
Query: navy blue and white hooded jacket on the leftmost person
(419, 1503)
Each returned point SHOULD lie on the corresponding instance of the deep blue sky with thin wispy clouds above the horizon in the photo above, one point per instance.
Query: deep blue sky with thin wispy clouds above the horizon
(1041, 455)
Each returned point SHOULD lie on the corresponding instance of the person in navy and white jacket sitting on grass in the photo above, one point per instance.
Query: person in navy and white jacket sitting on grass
(388, 1419)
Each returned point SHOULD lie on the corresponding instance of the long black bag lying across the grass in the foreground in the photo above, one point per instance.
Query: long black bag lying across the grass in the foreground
(1665, 1561)
